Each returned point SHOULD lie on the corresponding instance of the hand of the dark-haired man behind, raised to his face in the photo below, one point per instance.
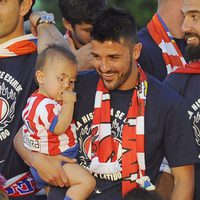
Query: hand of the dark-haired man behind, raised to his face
(83, 56)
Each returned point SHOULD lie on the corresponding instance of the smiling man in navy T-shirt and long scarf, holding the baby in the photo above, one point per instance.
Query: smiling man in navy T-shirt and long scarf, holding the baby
(126, 120)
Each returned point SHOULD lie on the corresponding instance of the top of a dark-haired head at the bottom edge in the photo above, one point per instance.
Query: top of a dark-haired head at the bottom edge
(141, 194)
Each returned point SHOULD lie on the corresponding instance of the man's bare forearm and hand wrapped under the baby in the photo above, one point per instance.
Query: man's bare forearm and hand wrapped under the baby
(49, 167)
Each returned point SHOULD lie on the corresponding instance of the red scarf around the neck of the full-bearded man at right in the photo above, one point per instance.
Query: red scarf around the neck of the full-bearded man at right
(191, 68)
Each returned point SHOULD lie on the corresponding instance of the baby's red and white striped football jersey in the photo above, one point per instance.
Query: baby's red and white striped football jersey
(40, 117)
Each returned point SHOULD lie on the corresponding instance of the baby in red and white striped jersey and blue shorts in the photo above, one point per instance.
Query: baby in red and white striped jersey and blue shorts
(48, 125)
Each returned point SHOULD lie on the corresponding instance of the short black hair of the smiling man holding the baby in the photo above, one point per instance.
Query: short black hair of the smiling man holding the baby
(114, 24)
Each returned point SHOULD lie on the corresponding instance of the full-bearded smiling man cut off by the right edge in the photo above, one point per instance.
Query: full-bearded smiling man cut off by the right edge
(186, 80)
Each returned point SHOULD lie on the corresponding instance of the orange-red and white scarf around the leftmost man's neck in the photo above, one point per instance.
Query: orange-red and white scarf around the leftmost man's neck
(18, 46)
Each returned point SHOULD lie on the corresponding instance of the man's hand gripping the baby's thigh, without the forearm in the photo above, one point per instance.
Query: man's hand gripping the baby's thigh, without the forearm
(50, 168)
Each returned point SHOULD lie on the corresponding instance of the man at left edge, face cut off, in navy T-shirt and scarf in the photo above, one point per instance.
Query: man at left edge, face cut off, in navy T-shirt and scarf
(18, 53)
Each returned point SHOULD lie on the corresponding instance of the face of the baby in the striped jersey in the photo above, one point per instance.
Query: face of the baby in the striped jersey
(58, 77)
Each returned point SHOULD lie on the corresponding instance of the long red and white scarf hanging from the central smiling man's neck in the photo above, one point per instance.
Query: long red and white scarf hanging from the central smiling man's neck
(104, 159)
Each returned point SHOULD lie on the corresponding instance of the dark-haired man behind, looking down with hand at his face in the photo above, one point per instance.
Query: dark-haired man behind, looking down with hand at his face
(78, 17)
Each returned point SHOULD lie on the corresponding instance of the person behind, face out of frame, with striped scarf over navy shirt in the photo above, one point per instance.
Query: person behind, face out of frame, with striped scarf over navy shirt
(163, 40)
